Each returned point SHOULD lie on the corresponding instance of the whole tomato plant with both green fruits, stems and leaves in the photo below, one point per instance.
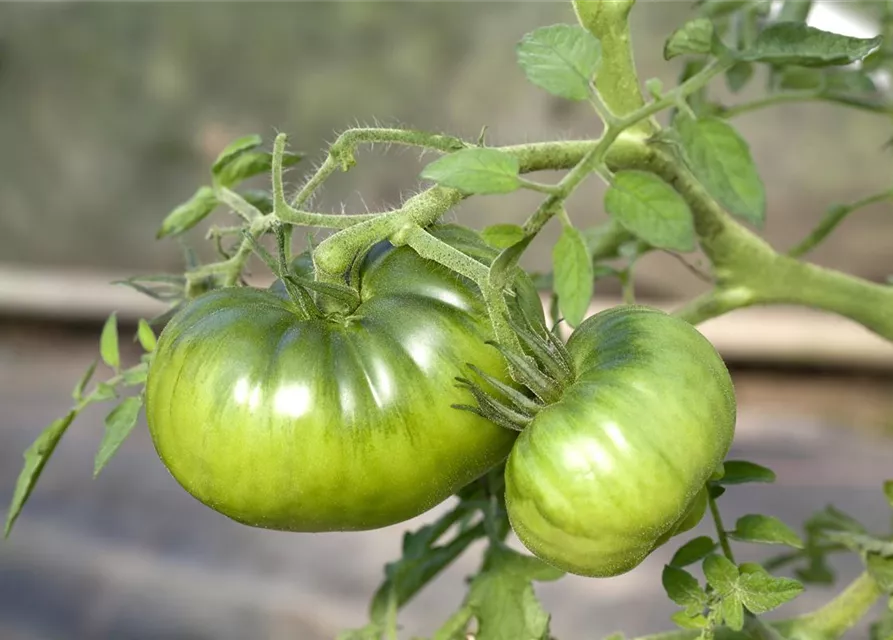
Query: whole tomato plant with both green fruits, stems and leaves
(398, 360)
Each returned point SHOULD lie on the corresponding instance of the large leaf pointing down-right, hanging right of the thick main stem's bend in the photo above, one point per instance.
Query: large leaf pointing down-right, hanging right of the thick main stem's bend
(721, 160)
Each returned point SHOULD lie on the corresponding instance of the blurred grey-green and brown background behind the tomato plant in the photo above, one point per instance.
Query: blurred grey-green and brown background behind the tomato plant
(111, 114)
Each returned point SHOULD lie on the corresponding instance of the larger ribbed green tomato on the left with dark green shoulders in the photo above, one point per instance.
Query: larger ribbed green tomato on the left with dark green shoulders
(341, 423)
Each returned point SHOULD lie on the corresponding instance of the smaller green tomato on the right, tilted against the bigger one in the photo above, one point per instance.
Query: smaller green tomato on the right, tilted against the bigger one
(614, 468)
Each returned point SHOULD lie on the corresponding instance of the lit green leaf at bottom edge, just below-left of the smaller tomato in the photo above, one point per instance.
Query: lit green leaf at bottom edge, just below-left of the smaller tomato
(502, 599)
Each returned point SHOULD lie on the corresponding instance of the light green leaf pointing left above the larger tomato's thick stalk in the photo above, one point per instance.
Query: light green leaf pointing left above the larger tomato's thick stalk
(476, 171)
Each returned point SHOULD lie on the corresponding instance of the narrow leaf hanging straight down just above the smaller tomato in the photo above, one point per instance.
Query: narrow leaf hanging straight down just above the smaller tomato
(573, 275)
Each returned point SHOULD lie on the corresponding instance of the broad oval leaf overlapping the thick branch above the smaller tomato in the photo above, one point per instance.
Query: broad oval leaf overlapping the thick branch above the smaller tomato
(651, 209)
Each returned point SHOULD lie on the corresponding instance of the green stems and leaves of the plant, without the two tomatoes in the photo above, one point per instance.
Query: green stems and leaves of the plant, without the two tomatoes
(668, 189)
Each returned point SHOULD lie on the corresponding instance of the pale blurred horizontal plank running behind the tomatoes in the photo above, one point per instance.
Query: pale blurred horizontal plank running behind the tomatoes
(758, 335)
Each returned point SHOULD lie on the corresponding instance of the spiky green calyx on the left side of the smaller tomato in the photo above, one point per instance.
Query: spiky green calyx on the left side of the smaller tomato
(543, 382)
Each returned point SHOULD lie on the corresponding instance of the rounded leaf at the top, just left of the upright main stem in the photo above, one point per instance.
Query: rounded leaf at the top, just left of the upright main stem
(562, 59)
